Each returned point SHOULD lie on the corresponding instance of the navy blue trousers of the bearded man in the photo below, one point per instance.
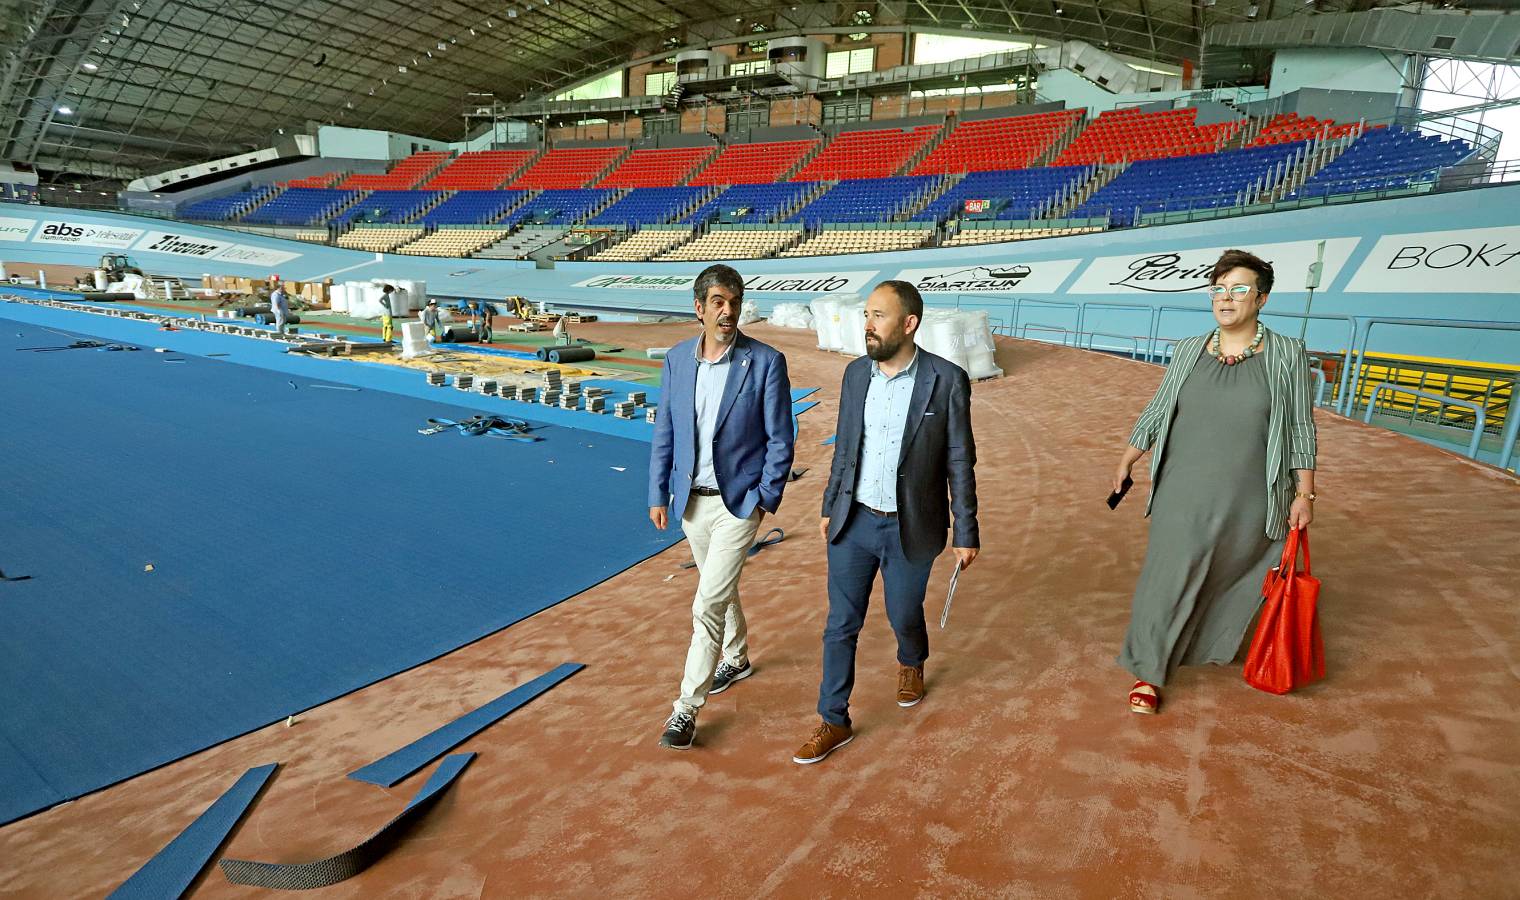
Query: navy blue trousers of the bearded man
(867, 547)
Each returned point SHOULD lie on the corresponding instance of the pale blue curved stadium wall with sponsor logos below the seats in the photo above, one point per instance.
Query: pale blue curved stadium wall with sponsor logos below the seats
(1452, 256)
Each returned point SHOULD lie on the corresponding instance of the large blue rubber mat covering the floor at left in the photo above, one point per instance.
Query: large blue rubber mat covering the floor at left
(217, 547)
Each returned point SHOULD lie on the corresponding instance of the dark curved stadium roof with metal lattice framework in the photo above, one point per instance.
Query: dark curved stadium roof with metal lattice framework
(119, 89)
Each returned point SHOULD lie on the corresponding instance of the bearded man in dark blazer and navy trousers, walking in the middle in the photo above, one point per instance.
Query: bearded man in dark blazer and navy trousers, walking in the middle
(904, 464)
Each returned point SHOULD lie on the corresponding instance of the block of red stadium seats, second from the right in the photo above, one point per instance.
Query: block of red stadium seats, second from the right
(1119, 136)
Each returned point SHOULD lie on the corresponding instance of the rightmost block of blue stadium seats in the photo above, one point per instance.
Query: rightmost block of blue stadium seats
(1384, 159)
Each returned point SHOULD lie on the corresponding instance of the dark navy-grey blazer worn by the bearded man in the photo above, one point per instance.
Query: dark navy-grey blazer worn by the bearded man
(939, 455)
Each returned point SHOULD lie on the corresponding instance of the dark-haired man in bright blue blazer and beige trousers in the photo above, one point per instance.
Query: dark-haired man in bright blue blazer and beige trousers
(720, 461)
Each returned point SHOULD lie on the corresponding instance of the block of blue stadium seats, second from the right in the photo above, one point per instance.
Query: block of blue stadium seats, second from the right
(1191, 183)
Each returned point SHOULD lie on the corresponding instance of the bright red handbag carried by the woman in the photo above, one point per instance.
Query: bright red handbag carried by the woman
(1288, 650)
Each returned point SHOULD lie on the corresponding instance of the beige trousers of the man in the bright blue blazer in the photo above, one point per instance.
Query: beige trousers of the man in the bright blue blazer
(720, 545)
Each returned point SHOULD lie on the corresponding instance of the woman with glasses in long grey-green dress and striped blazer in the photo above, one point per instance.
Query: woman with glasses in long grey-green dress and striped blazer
(1233, 437)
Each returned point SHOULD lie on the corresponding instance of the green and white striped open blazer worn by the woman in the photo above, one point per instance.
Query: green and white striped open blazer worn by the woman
(1290, 429)
